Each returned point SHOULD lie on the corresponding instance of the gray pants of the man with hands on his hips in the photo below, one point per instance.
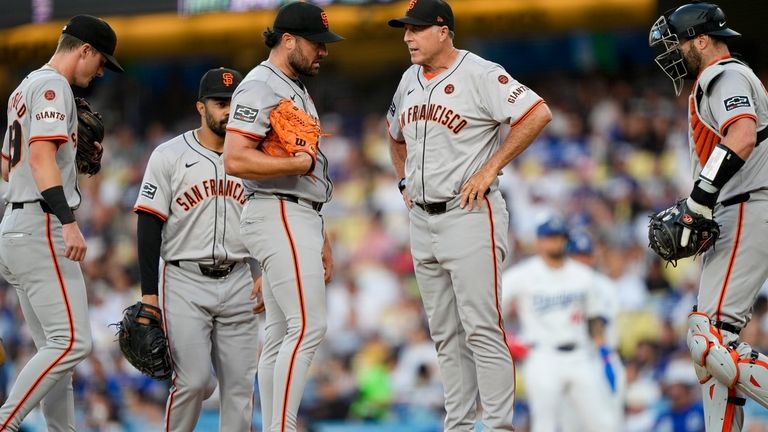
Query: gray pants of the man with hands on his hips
(457, 257)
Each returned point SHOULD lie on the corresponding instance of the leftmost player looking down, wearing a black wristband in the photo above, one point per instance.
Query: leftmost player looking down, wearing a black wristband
(41, 243)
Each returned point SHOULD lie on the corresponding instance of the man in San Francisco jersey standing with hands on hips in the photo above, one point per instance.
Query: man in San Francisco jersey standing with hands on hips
(444, 125)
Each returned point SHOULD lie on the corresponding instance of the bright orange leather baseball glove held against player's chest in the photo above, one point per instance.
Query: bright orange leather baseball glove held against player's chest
(293, 131)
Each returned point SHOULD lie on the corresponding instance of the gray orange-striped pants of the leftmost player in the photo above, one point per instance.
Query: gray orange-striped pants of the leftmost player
(53, 299)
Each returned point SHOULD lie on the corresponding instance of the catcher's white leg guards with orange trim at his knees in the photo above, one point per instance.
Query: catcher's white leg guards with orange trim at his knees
(736, 366)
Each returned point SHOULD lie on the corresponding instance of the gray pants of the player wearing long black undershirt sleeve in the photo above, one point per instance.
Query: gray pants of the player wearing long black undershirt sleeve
(210, 327)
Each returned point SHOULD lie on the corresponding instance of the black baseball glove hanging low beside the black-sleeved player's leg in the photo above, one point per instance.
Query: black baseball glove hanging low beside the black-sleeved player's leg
(143, 342)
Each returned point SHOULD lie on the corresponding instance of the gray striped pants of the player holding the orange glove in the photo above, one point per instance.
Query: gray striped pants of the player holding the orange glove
(287, 239)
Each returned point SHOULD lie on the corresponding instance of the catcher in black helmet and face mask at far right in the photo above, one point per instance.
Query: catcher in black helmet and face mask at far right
(728, 116)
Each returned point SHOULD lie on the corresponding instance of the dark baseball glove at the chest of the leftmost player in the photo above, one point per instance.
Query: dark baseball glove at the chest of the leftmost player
(90, 134)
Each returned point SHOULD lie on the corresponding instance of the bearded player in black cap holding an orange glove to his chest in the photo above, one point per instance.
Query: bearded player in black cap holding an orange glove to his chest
(281, 223)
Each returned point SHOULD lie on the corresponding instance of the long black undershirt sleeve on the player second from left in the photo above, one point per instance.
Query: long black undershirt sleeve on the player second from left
(149, 231)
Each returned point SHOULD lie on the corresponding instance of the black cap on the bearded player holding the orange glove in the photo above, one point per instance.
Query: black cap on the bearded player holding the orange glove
(306, 20)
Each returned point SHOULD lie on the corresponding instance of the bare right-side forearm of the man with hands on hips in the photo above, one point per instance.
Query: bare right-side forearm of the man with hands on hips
(520, 137)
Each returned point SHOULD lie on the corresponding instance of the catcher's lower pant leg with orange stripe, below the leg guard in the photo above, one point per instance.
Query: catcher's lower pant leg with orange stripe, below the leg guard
(720, 411)
